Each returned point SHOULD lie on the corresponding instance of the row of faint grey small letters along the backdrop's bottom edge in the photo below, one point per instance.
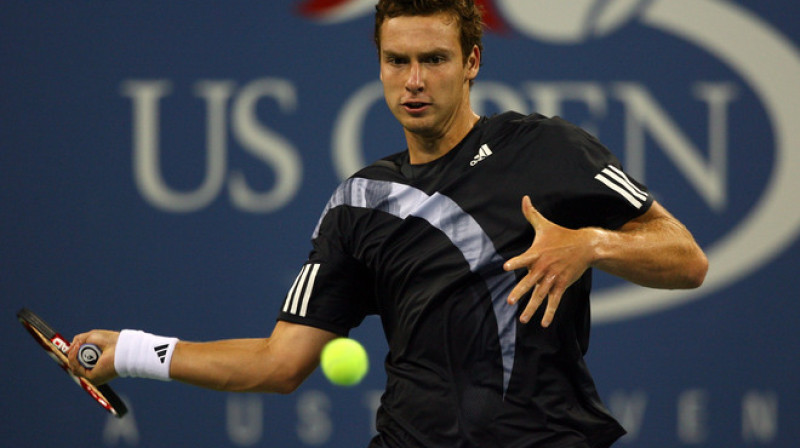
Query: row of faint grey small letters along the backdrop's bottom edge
(317, 413)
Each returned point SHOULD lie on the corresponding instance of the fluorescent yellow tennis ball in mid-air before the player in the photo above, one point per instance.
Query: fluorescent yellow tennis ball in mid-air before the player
(344, 362)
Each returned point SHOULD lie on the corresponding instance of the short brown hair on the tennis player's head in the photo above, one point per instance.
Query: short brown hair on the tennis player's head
(466, 12)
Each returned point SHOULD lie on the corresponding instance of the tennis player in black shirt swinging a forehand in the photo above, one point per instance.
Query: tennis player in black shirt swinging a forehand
(485, 308)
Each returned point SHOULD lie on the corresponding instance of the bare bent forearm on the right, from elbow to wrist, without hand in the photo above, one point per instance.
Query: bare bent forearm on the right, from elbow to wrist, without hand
(656, 251)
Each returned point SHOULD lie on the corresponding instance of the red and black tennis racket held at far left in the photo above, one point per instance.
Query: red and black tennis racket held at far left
(57, 346)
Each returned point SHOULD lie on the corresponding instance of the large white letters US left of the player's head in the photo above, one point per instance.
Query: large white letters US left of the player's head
(263, 143)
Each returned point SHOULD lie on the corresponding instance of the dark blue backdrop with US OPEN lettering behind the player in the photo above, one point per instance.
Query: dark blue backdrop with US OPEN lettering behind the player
(163, 165)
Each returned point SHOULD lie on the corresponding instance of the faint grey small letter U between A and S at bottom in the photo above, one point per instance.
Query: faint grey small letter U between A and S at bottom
(244, 419)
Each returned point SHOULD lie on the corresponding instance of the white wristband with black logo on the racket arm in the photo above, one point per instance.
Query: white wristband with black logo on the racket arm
(143, 355)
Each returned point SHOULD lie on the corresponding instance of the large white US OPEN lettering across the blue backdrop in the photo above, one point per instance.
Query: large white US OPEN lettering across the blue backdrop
(642, 114)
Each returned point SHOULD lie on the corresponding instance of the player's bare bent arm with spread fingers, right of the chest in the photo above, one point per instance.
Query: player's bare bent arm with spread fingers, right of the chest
(653, 250)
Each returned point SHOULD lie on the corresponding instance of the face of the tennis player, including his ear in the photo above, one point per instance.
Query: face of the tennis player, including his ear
(425, 78)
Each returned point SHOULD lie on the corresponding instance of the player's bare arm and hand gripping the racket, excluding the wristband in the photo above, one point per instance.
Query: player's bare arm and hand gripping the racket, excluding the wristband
(277, 364)
